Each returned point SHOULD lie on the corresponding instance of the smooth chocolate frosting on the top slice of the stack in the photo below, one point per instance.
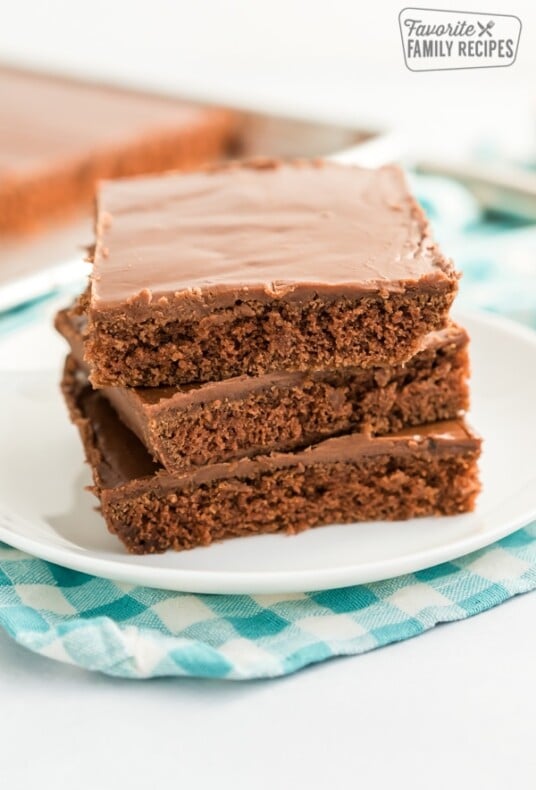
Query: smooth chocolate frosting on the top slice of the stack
(262, 230)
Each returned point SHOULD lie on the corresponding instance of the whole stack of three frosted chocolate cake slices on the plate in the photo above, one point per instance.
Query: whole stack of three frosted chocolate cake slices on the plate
(266, 347)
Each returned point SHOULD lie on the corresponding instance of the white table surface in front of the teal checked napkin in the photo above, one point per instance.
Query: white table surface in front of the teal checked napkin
(453, 708)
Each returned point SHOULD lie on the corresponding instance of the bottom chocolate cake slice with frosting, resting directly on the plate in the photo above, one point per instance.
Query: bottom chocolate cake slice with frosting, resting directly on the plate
(345, 479)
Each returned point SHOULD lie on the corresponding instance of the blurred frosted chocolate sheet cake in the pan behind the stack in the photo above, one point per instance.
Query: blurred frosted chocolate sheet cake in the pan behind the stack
(59, 136)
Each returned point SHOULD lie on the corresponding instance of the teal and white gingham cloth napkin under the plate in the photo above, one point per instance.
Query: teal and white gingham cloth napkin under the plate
(138, 632)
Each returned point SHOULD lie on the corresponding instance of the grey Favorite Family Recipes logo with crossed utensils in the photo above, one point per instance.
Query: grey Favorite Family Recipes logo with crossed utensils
(434, 40)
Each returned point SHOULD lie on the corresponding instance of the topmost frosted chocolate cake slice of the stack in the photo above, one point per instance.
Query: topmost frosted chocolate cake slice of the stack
(258, 267)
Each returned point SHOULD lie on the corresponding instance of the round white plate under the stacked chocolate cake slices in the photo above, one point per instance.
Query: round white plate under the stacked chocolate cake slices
(44, 509)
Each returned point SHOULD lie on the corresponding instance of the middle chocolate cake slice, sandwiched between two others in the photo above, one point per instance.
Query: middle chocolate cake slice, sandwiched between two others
(210, 423)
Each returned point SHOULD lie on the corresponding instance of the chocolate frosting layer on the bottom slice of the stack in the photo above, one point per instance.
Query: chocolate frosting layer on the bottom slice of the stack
(124, 461)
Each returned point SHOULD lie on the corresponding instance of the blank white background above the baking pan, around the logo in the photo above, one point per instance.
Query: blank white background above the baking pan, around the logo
(343, 57)
